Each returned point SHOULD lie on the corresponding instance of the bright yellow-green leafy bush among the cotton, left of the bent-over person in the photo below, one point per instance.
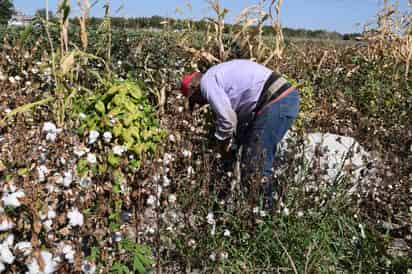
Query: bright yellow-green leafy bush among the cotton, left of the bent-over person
(125, 111)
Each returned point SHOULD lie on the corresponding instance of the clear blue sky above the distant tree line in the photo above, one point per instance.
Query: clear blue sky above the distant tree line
(344, 16)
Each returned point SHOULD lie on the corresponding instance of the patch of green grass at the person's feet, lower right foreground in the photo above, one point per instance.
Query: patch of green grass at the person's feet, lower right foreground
(329, 239)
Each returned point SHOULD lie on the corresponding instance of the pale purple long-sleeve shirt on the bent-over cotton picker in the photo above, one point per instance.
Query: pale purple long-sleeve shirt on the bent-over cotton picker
(232, 89)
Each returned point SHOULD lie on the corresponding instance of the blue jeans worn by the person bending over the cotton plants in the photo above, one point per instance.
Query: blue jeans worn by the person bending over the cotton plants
(262, 137)
